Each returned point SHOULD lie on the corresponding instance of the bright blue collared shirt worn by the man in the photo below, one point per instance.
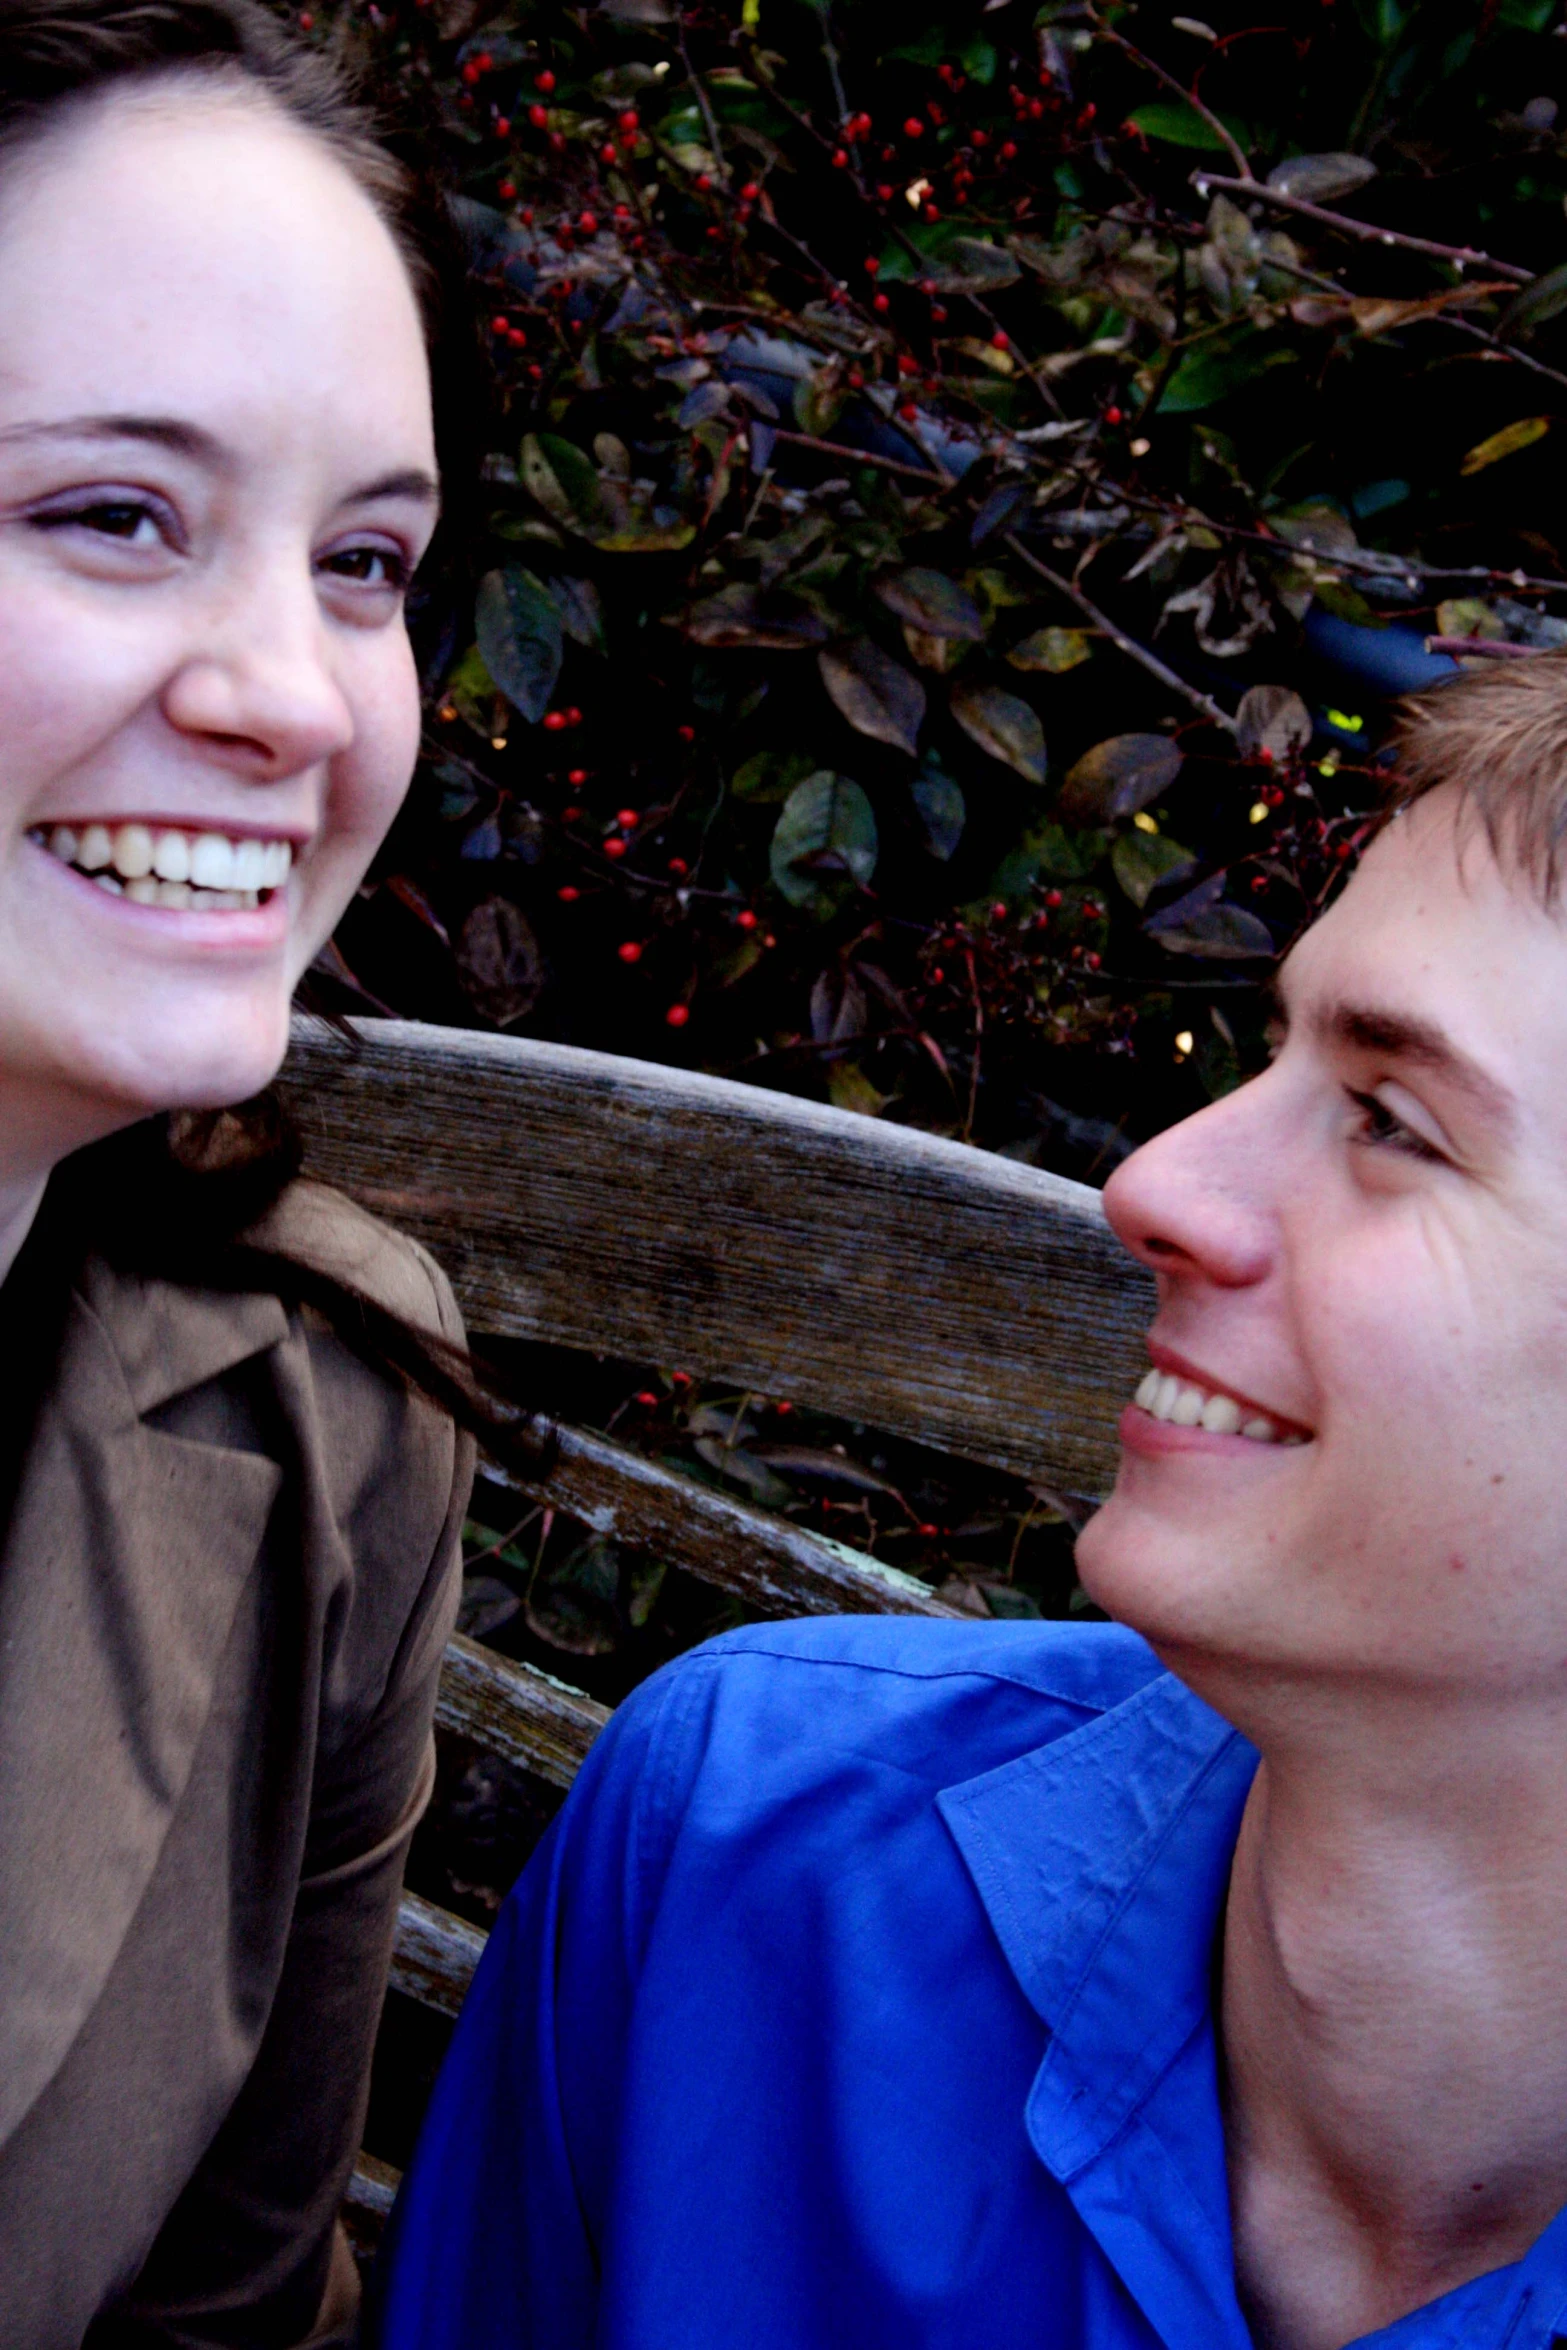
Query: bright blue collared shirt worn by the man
(863, 1996)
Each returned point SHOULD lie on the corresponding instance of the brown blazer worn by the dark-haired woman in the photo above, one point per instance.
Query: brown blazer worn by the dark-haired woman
(224, 1597)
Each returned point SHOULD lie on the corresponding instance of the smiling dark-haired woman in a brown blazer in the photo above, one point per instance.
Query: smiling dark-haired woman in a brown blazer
(229, 1508)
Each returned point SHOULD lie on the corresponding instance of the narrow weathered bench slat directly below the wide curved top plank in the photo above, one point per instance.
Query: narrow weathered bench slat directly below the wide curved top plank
(767, 1562)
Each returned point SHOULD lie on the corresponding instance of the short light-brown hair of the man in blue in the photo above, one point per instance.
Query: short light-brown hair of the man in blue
(1500, 734)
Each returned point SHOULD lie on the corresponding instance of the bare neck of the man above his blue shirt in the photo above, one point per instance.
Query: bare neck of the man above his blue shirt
(1394, 2008)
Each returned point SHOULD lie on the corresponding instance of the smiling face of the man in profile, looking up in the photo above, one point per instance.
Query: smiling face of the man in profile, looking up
(1368, 1251)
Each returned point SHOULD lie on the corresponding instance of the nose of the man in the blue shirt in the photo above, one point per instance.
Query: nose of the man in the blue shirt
(1199, 1202)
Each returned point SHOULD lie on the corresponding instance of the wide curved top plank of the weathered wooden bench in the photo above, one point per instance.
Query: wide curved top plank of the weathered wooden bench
(671, 1218)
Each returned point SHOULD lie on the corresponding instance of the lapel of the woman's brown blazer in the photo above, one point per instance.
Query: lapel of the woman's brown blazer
(119, 1585)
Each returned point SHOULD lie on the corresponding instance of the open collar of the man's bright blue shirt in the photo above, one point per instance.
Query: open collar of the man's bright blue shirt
(1103, 1865)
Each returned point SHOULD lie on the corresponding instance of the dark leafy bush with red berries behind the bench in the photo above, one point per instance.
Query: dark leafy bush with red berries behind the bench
(962, 490)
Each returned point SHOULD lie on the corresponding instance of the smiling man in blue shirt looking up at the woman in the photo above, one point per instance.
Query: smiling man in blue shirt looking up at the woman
(1192, 1980)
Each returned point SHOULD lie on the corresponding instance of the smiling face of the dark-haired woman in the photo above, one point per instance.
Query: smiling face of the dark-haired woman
(217, 474)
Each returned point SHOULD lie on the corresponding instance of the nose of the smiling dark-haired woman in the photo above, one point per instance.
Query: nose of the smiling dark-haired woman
(257, 683)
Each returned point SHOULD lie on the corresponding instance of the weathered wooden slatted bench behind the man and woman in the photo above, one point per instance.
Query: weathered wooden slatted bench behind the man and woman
(807, 1254)
